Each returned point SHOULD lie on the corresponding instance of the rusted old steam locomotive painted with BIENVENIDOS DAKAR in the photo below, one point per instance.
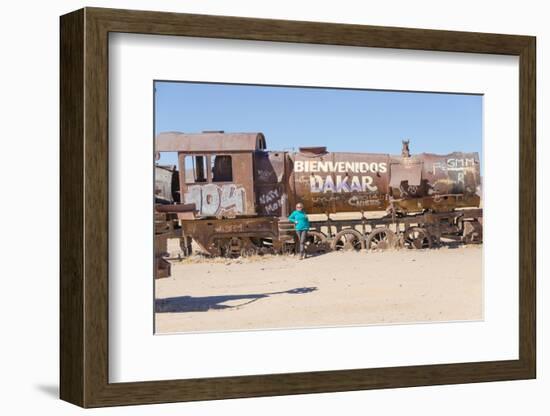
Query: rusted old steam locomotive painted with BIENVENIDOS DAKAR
(236, 195)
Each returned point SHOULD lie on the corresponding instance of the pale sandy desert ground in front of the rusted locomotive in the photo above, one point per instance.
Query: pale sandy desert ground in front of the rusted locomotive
(334, 289)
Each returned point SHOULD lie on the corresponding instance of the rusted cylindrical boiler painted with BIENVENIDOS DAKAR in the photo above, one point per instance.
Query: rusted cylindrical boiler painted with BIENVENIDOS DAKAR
(343, 182)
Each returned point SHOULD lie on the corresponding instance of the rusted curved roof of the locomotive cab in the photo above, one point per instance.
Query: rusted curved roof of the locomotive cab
(209, 142)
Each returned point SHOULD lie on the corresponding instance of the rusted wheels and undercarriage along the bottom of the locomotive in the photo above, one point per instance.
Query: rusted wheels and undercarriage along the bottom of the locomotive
(247, 236)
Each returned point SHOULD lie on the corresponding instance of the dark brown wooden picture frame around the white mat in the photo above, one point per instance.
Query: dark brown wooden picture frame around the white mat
(84, 207)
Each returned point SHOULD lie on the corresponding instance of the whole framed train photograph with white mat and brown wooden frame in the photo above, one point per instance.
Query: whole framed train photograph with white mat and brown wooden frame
(254, 207)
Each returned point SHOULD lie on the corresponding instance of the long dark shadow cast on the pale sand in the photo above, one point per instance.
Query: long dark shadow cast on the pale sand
(206, 303)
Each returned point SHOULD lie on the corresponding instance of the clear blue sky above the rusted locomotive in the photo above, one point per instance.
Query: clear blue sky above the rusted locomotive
(343, 120)
